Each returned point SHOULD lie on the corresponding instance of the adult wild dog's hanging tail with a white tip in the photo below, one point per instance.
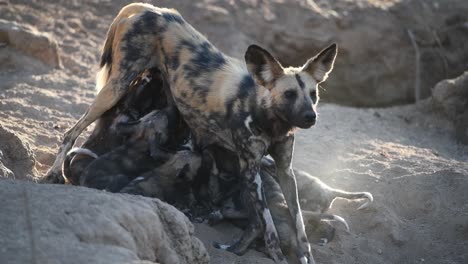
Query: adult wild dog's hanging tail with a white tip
(105, 66)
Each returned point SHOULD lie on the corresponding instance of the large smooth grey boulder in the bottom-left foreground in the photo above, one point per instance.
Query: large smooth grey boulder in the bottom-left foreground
(63, 224)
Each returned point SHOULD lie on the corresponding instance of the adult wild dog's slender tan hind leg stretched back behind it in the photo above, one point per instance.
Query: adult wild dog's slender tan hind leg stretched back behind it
(107, 97)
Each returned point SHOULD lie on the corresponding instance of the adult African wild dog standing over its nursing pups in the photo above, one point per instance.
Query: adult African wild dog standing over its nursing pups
(250, 107)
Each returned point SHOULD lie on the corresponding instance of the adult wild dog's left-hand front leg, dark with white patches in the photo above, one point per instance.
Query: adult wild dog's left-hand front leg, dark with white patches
(251, 150)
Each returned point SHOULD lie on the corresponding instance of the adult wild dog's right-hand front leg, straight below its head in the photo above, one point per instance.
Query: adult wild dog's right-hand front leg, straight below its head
(282, 152)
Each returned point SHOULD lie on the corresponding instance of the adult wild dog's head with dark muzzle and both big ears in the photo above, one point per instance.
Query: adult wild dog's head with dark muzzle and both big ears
(292, 92)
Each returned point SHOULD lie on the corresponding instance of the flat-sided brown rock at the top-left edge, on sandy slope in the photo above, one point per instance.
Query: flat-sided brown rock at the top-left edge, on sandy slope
(29, 41)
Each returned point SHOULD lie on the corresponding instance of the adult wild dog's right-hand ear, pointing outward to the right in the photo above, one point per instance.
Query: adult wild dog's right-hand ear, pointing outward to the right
(322, 64)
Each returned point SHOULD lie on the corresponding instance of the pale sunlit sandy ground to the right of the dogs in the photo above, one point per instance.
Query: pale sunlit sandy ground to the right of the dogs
(409, 159)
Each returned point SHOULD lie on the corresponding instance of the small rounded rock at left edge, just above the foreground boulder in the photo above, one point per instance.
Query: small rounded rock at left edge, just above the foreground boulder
(16, 157)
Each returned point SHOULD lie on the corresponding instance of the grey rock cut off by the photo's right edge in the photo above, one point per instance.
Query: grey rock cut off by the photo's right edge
(451, 97)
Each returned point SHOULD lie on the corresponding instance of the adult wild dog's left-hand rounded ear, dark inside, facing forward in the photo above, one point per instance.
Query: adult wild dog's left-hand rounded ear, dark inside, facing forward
(263, 67)
